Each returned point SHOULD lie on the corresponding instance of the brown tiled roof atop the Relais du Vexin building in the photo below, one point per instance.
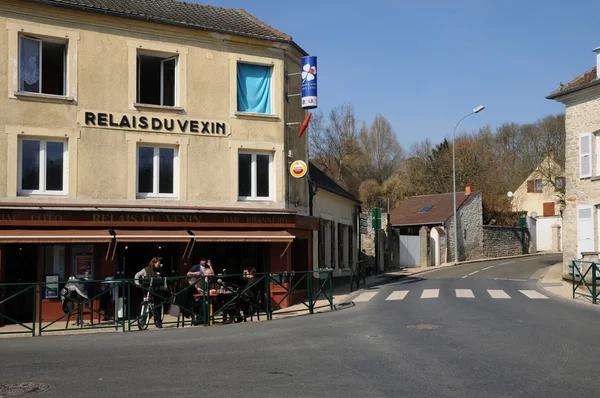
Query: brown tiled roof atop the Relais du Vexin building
(216, 19)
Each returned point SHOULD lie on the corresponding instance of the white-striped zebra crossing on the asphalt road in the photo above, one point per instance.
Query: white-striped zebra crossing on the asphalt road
(427, 294)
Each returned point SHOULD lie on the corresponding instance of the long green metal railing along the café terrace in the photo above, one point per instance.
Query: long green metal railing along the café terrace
(265, 294)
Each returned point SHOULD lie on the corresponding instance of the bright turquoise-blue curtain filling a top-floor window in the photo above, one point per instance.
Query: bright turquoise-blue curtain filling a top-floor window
(254, 88)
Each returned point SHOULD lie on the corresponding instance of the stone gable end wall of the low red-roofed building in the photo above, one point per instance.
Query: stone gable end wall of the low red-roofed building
(470, 233)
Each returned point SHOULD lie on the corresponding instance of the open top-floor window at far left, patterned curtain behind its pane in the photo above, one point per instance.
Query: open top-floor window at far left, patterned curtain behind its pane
(42, 65)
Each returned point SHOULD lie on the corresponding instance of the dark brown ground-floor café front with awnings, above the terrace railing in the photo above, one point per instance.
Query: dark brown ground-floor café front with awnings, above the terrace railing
(37, 242)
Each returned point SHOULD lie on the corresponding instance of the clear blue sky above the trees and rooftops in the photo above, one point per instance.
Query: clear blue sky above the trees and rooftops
(424, 64)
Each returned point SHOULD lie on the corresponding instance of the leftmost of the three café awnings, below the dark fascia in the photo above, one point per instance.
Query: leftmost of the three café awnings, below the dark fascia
(55, 236)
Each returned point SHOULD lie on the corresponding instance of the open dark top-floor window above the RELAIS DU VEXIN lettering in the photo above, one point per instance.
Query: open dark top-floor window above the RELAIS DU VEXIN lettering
(156, 79)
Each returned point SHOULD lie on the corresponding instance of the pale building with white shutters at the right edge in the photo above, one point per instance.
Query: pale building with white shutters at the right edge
(582, 166)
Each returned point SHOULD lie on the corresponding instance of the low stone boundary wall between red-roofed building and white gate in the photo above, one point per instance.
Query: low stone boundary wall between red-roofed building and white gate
(502, 241)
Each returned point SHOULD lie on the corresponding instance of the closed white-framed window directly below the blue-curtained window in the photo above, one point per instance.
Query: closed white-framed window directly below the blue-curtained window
(254, 176)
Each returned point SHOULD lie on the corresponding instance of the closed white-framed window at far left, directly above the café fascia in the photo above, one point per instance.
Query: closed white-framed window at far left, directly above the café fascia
(43, 167)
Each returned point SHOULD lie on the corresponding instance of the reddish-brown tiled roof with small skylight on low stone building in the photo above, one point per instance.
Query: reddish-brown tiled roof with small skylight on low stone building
(407, 212)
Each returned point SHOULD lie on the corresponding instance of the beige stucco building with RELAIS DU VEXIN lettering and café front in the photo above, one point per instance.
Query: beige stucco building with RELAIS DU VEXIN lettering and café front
(138, 129)
